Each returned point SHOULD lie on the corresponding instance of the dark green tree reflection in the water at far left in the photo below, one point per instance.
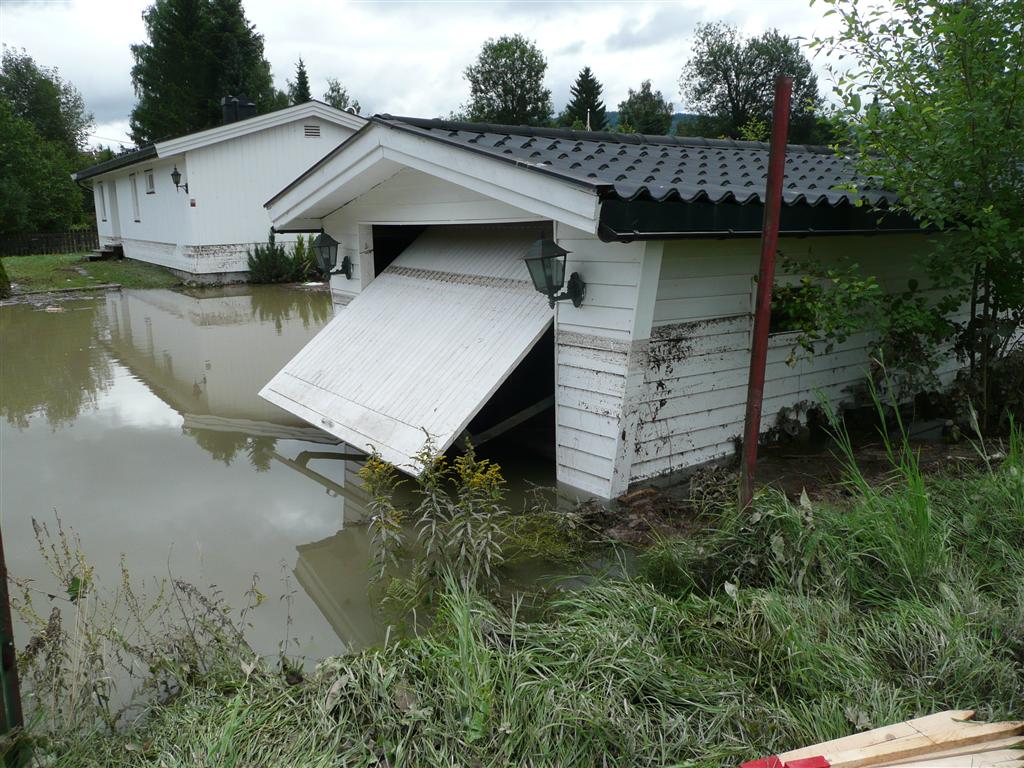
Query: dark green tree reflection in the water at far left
(52, 362)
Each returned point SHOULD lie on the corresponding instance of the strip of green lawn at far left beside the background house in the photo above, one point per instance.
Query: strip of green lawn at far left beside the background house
(46, 273)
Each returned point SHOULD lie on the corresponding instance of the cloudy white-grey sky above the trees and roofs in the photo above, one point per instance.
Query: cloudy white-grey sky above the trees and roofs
(401, 57)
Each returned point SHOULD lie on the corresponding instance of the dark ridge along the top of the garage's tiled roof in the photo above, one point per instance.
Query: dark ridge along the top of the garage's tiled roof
(572, 134)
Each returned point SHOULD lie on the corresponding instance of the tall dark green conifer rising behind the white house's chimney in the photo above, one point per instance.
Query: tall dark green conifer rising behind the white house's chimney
(197, 52)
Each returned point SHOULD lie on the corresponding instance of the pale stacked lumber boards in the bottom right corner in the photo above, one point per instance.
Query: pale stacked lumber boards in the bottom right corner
(947, 740)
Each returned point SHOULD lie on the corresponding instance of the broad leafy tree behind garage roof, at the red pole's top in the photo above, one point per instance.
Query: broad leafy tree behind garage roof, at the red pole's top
(731, 81)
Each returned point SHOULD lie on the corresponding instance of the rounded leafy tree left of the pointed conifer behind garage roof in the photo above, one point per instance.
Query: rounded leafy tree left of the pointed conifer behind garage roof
(506, 84)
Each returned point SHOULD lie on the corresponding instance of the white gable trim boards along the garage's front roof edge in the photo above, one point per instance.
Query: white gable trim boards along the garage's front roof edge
(381, 150)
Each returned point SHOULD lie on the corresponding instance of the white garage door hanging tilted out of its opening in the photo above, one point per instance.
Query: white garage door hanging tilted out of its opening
(423, 348)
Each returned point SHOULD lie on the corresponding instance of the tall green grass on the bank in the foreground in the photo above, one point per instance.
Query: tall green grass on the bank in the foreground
(780, 628)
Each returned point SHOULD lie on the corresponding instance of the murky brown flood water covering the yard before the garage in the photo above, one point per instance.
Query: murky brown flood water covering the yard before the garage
(135, 417)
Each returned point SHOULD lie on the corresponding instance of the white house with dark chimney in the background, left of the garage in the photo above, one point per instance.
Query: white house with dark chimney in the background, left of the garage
(203, 227)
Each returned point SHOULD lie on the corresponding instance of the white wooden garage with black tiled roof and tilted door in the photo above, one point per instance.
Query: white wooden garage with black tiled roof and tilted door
(649, 373)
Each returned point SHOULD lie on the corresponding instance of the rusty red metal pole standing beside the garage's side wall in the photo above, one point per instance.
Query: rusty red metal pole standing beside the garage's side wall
(766, 277)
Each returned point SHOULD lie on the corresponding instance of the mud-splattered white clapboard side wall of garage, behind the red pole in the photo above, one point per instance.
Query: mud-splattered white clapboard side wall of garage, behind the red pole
(691, 391)
